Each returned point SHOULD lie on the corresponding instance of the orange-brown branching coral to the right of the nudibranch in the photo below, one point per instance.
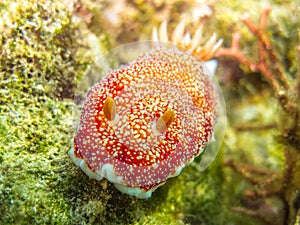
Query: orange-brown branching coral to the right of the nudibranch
(269, 187)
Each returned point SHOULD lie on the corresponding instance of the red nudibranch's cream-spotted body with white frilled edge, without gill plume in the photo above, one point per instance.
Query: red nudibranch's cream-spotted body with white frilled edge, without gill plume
(144, 122)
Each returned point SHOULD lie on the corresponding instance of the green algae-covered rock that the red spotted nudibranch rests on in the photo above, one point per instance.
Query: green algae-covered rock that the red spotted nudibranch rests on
(42, 58)
